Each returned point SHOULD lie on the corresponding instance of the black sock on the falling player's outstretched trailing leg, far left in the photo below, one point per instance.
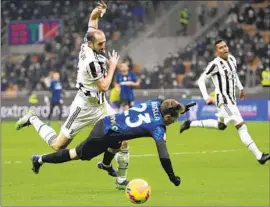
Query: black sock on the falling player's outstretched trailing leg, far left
(57, 157)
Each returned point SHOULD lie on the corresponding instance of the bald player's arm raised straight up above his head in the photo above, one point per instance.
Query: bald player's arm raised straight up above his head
(98, 12)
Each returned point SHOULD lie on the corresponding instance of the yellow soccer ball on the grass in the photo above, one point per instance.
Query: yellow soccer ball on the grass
(138, 191)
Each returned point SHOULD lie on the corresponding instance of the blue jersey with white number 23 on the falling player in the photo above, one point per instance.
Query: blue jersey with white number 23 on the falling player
(142, 120)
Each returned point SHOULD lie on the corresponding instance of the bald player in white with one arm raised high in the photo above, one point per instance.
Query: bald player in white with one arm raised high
(94, 77)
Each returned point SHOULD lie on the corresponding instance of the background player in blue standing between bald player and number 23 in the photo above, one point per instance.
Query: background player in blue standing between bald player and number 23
(127, 80)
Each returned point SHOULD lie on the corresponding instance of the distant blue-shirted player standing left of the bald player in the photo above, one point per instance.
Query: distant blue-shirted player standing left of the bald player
(56, 98)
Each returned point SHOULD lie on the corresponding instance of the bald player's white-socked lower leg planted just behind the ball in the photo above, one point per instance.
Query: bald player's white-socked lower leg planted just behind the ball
(122, 158)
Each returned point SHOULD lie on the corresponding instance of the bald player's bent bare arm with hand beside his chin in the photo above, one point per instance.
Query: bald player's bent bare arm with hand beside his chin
(104, 83)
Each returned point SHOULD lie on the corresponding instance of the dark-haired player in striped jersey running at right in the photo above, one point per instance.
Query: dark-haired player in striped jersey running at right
(222, 71)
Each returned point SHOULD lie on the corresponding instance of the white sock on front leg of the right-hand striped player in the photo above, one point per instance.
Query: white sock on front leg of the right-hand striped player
(248, 141)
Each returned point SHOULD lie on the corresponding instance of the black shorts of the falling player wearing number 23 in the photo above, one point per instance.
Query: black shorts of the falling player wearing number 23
(96, 143)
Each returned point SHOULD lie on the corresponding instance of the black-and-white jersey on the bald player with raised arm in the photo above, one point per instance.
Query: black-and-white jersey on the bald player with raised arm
(91, 67)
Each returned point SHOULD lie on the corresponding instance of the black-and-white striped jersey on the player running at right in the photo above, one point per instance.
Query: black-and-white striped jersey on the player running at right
(224, 76)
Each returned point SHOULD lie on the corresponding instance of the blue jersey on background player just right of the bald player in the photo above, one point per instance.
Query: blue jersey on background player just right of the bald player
(126, 92)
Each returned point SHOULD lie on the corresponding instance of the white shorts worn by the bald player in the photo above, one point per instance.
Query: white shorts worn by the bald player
(83, 114)
